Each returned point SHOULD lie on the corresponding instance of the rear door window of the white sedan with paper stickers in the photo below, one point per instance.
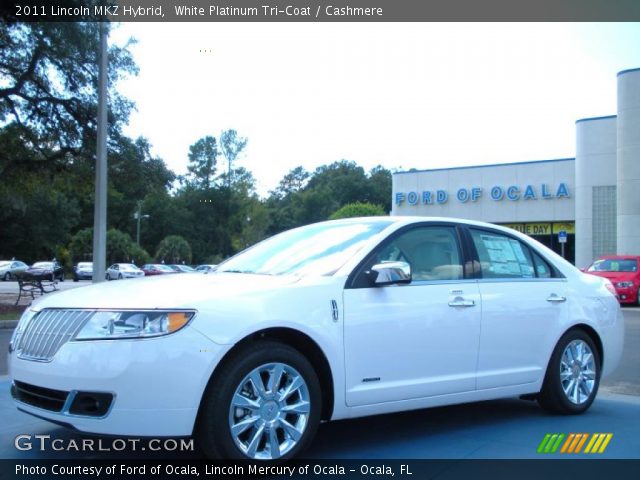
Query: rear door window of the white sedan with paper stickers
(502, 256)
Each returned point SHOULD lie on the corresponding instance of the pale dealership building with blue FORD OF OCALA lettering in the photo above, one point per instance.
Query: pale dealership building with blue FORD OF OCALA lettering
(584, 207)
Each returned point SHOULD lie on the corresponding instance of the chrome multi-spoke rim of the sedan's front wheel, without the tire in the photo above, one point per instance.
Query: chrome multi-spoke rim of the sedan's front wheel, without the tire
(269, 411)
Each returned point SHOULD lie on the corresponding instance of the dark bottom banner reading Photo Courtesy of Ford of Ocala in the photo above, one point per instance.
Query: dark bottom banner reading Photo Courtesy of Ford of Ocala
(323, 469)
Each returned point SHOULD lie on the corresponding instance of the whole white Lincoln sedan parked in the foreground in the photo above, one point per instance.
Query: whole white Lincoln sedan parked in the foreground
(329, 321)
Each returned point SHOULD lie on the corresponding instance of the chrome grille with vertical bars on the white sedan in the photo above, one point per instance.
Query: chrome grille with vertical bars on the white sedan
(48, 331)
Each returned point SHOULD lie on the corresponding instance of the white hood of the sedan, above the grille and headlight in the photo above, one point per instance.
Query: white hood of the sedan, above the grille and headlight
(163, 291)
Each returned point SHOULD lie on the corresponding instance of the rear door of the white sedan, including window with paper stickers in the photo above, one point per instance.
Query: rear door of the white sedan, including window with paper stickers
(523, 301)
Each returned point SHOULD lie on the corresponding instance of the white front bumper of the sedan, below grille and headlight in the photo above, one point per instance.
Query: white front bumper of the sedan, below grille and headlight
(155, 384)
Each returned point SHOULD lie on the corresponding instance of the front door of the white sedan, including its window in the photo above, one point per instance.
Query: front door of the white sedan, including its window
(415, 340)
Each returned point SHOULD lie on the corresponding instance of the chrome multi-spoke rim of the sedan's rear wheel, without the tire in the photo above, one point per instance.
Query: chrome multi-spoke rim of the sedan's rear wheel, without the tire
(578, 372)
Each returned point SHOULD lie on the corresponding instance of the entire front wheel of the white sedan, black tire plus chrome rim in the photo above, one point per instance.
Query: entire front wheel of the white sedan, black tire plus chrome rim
(271, 434)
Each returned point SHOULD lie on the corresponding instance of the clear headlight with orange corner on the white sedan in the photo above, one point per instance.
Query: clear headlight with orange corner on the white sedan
(132, 324)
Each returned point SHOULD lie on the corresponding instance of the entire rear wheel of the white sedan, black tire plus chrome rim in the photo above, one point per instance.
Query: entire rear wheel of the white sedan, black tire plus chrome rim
(573, 375)
